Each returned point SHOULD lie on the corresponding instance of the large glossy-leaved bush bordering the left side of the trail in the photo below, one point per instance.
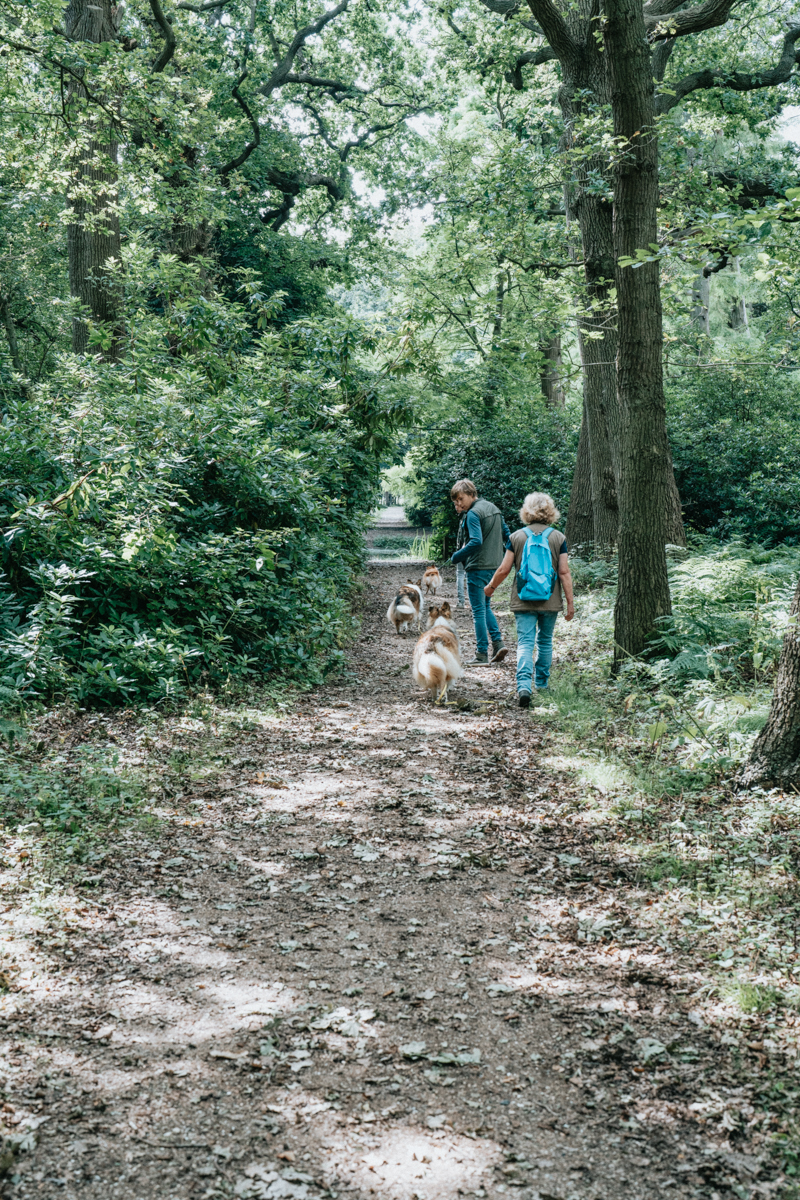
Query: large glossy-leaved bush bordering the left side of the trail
(182, 520)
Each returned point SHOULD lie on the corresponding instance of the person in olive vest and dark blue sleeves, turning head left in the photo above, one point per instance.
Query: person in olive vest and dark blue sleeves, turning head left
(482, 555)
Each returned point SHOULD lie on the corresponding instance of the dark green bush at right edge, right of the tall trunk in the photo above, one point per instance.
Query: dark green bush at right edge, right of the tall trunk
(736, 440)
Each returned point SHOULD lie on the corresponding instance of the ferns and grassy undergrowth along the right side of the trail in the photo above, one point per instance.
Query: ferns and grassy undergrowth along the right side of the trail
(654, 757)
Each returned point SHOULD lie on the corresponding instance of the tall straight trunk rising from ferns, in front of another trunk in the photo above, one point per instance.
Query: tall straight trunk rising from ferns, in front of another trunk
(643, 593)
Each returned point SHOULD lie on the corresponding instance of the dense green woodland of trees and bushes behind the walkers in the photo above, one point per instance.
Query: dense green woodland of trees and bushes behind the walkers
(254, 255)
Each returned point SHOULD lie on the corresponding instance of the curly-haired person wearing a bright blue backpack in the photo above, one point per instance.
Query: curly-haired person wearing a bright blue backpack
(537, 619)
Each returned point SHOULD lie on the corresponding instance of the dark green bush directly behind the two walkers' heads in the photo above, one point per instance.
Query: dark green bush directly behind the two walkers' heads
(506, 459)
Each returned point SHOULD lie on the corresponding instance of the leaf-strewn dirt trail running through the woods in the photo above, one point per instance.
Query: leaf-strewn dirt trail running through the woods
(366, 968)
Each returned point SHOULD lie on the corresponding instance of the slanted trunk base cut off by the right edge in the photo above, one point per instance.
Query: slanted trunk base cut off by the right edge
(775, 758)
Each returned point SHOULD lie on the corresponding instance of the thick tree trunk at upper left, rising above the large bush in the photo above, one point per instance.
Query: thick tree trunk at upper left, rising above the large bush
(94, 231)
